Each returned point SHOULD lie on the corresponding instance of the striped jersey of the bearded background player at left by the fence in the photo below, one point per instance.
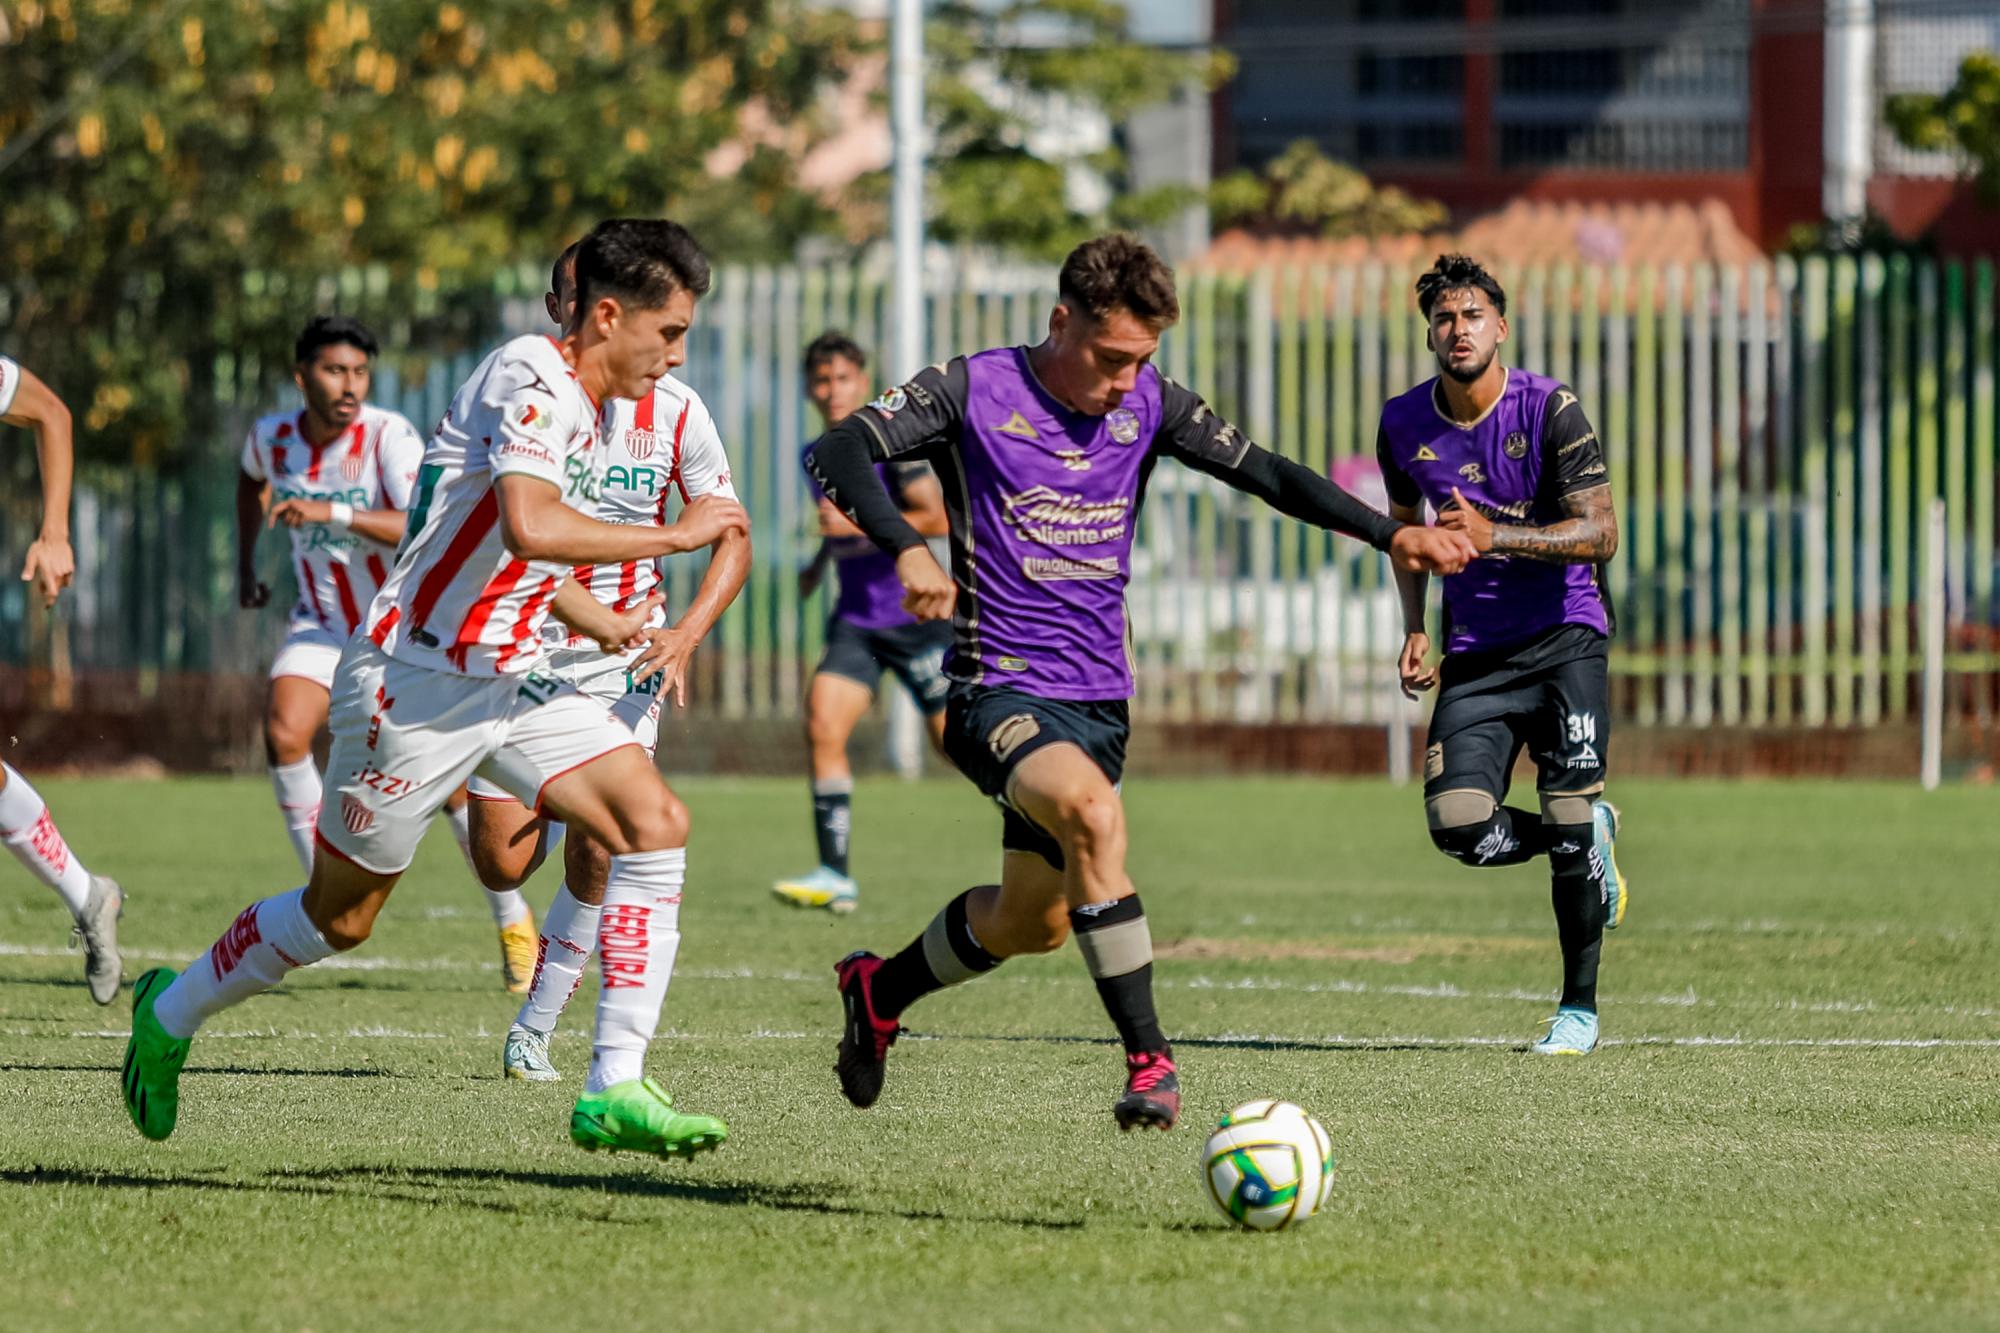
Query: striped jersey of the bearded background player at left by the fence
(369, 465)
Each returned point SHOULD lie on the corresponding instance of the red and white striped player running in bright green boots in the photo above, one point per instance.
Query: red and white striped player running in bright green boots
(447, 682)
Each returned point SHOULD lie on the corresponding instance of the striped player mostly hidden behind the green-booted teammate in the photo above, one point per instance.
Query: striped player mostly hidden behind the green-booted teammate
(655, 447)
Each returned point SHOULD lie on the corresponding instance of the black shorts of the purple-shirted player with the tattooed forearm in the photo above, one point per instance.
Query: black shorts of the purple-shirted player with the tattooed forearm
(1549, 696)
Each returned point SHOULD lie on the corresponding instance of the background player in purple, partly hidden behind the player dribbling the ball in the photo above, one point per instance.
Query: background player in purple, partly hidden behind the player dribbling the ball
(867, 633)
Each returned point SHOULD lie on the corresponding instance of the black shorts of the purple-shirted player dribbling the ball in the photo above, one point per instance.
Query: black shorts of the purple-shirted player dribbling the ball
(989, 732)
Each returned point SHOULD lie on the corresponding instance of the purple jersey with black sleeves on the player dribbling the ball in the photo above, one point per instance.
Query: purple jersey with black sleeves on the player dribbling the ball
(1045, 505)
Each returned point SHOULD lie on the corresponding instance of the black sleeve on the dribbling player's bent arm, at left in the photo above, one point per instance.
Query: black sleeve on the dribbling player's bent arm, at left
(901, 425)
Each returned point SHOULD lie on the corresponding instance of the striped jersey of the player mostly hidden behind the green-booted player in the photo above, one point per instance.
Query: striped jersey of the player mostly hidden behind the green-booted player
(655, 447)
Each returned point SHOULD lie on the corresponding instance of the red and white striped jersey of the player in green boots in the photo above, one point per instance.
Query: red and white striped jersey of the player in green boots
(457, 601)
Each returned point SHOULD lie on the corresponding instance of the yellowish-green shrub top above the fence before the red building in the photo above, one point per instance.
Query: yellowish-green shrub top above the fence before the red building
(1303, 189)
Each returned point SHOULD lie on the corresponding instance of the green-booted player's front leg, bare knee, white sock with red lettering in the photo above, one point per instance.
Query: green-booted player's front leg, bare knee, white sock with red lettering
(623, 804)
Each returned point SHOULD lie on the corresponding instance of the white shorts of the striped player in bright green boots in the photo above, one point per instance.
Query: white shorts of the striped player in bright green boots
(405, 738)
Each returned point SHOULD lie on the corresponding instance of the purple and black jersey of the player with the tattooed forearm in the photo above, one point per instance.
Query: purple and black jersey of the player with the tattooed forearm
(1515, 465)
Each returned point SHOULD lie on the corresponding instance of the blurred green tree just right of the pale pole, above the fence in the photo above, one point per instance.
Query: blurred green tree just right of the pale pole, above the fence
(1007, 87)
